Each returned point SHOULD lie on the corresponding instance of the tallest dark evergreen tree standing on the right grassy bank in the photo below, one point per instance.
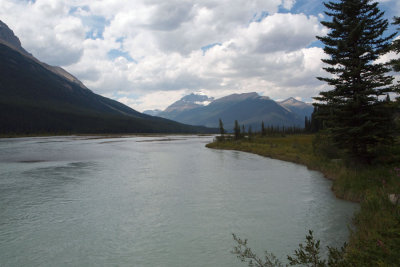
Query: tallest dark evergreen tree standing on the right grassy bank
(354, 112)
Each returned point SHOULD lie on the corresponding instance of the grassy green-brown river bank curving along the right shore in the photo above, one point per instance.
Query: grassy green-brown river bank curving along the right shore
(376, 239)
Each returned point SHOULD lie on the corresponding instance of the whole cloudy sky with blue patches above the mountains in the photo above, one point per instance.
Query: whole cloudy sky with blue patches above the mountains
(149, 53)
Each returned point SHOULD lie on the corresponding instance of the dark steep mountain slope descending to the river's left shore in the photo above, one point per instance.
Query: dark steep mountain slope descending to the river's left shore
(38, 98)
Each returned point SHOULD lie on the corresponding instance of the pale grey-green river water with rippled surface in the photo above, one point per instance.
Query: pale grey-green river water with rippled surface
(155, 201)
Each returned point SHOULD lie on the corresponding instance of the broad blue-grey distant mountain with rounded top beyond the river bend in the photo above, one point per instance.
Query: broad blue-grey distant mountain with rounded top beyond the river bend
(249, 109)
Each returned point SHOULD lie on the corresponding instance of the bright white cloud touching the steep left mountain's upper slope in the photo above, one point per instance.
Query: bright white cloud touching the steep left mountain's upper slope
(45, 29)
